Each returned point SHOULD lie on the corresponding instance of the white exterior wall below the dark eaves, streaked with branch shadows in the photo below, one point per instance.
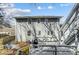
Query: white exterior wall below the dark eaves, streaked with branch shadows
(23, 27)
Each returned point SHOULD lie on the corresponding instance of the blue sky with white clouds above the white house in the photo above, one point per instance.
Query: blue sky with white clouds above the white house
(39, 9)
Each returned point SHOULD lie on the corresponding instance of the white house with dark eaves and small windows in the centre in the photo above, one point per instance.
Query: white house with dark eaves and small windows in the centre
(43, 28)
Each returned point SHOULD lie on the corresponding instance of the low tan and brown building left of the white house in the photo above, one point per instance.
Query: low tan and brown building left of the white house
(7, 35)
